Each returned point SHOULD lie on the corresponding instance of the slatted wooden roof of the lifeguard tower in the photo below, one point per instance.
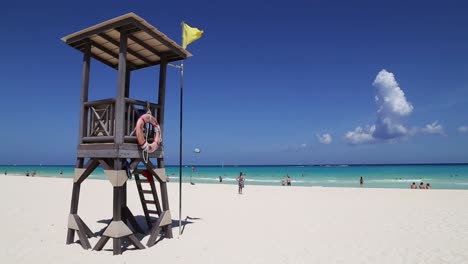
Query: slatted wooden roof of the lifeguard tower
(146, 45)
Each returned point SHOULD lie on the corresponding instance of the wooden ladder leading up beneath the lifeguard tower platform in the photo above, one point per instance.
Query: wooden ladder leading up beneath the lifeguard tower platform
(151, 197)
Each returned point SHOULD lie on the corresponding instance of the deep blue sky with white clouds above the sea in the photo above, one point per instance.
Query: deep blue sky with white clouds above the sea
(270, 82)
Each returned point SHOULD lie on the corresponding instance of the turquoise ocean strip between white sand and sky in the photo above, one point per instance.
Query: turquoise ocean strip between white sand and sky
(440, 176)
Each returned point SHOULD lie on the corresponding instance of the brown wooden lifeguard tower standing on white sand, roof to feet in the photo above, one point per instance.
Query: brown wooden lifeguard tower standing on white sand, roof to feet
(107, 127)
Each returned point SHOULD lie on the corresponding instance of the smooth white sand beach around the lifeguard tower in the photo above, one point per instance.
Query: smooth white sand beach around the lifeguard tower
(264, 225)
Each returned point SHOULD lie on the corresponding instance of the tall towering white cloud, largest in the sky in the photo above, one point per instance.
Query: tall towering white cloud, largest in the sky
(392, 107)
